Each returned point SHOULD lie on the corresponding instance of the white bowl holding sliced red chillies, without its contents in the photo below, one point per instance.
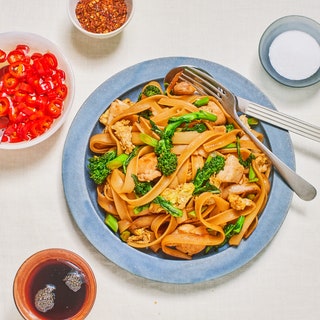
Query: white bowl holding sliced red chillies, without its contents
(8, 42)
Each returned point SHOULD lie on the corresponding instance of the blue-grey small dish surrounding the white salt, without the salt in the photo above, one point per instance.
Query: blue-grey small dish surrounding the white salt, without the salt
(288, 23)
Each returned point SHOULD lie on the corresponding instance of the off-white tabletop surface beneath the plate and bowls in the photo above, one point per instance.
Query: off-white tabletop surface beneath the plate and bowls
(283, 282)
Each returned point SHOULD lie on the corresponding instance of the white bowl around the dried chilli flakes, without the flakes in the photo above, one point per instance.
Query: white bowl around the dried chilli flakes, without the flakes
(72, 14)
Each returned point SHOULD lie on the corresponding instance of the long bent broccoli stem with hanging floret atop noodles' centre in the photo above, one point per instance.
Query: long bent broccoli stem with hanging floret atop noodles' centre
(168, 161)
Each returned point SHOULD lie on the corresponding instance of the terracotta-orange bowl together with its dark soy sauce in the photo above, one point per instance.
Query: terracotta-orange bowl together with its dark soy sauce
(54, 284)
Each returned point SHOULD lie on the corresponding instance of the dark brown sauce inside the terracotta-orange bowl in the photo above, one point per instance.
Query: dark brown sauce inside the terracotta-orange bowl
(53, 274)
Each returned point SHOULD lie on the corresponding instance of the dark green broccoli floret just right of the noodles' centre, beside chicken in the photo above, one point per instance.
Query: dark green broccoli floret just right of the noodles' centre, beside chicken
(212, 165)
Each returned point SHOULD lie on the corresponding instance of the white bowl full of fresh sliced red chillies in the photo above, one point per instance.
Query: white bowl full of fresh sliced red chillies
(36, 89)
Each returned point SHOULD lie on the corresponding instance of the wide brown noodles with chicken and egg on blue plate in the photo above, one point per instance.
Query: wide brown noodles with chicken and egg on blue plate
(208, 219)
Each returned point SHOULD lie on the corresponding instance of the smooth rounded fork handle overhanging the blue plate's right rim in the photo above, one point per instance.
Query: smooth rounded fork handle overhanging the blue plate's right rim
(300, 186)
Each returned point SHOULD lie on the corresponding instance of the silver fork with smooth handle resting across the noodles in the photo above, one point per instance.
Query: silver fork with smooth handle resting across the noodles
(208, 85)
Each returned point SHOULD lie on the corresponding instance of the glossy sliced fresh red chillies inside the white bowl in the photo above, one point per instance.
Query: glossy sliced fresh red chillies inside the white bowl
(32, 92)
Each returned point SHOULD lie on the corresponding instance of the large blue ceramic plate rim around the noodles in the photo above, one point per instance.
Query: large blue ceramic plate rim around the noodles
(81, 194)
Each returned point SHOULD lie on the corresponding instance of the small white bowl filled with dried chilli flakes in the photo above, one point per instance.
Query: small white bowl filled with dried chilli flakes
(100, 19)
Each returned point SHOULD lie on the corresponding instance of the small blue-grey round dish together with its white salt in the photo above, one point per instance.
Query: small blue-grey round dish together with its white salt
(289, 51)
